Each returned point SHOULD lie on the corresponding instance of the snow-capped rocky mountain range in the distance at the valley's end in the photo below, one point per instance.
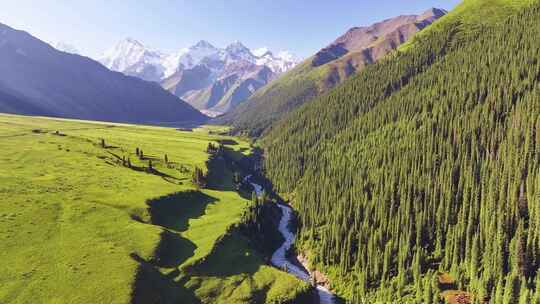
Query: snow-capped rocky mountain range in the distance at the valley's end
(213, 80)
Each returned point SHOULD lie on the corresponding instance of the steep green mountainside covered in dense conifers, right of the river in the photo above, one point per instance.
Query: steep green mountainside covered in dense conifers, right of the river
(426, 163)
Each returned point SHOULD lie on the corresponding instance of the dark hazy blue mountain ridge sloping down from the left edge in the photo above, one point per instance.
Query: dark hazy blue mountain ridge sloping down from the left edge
(37, 79)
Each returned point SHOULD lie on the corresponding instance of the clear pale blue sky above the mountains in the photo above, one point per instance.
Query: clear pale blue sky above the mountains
(301, 26)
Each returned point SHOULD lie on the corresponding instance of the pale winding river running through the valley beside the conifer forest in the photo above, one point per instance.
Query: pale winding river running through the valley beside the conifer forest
(279, 258)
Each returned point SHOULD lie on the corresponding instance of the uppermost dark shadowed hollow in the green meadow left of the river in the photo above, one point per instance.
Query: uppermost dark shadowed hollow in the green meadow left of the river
(175, 210)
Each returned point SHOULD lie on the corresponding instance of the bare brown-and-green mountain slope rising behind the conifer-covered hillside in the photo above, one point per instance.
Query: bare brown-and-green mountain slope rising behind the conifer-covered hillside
(348, 54)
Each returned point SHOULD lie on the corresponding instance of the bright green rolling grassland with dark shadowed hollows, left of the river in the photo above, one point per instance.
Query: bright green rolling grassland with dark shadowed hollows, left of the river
(77, 225)
